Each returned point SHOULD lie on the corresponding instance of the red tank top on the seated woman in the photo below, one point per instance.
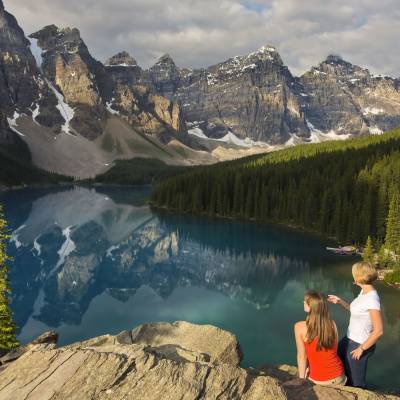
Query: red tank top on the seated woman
(324, 364)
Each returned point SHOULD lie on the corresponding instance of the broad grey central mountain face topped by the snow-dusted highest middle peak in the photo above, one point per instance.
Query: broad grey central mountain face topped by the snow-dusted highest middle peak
(252, 96)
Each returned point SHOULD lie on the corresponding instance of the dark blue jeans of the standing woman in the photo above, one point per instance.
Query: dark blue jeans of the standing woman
(356, 370)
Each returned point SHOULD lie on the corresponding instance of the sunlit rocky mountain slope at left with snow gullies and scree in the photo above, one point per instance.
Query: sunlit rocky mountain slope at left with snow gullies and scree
(75, 114)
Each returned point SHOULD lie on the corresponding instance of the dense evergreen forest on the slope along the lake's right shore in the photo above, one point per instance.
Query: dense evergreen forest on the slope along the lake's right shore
(342, 189)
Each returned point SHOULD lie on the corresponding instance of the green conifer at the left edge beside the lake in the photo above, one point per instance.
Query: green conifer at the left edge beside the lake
(8, 339)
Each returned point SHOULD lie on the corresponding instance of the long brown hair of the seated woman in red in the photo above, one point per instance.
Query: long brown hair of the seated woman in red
(319, 322)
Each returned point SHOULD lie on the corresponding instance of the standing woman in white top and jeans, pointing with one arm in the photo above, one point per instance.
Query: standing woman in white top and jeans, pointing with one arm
(365, 327)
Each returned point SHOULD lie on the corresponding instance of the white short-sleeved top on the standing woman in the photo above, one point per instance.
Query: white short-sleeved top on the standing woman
(360, 326)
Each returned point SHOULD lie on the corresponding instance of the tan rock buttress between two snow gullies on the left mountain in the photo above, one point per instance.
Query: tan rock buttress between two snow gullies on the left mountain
(68, 65)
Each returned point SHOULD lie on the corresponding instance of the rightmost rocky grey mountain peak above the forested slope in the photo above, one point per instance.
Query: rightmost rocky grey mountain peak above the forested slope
(348, 99)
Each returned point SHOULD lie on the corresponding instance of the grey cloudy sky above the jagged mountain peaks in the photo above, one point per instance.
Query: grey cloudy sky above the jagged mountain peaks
(204, 32)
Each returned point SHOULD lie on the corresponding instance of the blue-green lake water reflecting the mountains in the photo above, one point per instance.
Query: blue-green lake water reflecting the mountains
(95, 261)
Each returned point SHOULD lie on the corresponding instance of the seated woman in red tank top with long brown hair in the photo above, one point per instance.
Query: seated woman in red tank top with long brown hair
(316, 342)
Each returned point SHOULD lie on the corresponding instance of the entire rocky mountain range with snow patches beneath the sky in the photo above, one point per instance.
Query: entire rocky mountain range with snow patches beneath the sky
(78, 115)
